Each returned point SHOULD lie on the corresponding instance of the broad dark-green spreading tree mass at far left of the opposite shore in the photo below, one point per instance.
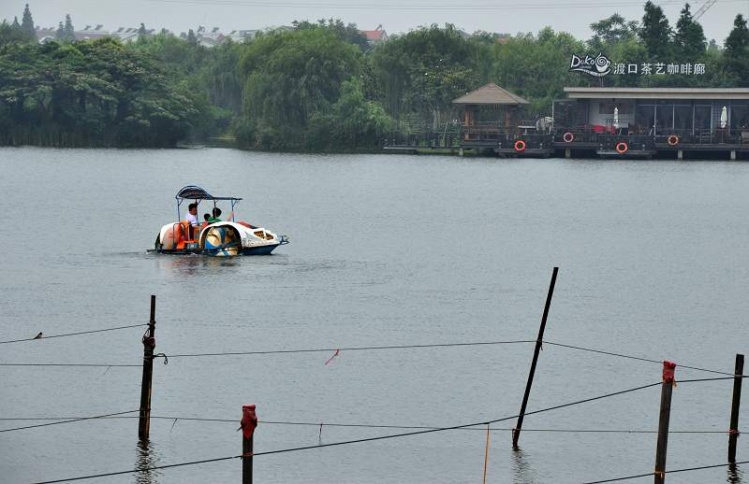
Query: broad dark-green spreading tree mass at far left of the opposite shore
(88, 94)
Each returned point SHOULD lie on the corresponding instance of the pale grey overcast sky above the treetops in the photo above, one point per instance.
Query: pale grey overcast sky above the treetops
(395, 16)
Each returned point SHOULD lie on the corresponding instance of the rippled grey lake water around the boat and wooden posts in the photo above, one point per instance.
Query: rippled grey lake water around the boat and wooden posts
(385, 251)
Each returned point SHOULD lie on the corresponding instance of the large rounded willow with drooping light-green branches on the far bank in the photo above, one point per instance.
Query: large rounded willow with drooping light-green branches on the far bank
(291, 77)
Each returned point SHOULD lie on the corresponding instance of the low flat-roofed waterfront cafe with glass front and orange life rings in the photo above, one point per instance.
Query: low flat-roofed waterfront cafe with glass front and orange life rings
(653, 122)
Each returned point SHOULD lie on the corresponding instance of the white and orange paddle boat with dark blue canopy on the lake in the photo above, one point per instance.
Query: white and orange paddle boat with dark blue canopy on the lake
(223, 238)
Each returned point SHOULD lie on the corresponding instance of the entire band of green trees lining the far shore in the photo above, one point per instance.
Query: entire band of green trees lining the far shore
(319, 86)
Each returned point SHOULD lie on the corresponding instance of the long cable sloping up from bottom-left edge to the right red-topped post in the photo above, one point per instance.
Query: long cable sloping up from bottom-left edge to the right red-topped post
(356, 441)
